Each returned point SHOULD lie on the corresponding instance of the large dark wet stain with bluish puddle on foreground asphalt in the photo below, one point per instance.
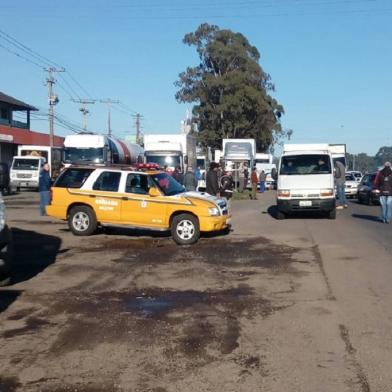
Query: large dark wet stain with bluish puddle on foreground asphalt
(196, 323)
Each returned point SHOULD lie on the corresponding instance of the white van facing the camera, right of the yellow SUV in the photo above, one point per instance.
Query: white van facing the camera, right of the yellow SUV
(306, 180)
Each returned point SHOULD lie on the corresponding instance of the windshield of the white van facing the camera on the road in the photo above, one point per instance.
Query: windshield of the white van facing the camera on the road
(306, 164)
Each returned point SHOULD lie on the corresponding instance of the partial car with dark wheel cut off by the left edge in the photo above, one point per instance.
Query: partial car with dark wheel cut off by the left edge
(5, 247)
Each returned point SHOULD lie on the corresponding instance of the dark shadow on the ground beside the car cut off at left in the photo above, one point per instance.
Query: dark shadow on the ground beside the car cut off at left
(33, 252)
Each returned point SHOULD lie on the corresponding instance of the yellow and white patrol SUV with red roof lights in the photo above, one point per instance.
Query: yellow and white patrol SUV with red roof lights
(88, 196)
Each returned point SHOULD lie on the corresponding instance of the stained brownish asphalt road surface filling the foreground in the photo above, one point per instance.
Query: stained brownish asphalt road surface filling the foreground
(302, 304)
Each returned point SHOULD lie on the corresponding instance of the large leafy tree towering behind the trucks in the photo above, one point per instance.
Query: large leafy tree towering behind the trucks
(229, 89)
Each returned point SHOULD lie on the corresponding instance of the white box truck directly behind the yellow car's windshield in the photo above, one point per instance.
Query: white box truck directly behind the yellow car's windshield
(171, 150)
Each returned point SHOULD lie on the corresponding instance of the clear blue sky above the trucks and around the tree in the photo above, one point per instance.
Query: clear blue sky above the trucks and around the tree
(331, 60)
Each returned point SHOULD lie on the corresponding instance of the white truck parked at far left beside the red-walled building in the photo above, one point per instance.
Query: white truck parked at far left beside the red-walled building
(26, 166)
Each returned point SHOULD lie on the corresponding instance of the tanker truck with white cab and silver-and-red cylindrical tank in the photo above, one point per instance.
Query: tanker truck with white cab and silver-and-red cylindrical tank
(84, 148)
